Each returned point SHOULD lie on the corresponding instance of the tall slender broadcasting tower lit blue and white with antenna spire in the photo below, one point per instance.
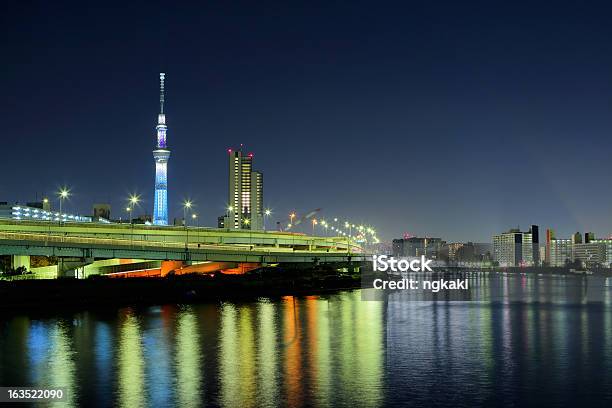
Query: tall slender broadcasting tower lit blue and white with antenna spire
(161, 155)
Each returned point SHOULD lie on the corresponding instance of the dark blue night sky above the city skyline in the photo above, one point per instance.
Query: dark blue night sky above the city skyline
(452, 119)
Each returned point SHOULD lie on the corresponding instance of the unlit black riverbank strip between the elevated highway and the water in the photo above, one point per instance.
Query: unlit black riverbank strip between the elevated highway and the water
(28, 294)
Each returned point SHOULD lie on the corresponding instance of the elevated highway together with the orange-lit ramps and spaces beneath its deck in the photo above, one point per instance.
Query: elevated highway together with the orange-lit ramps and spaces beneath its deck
(85, 249)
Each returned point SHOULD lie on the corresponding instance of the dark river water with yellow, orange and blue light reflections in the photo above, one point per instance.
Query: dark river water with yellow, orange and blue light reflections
(333, 350)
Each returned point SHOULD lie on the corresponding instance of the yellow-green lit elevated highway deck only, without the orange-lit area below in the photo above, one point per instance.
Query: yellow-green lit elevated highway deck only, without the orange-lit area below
(169, 243)
